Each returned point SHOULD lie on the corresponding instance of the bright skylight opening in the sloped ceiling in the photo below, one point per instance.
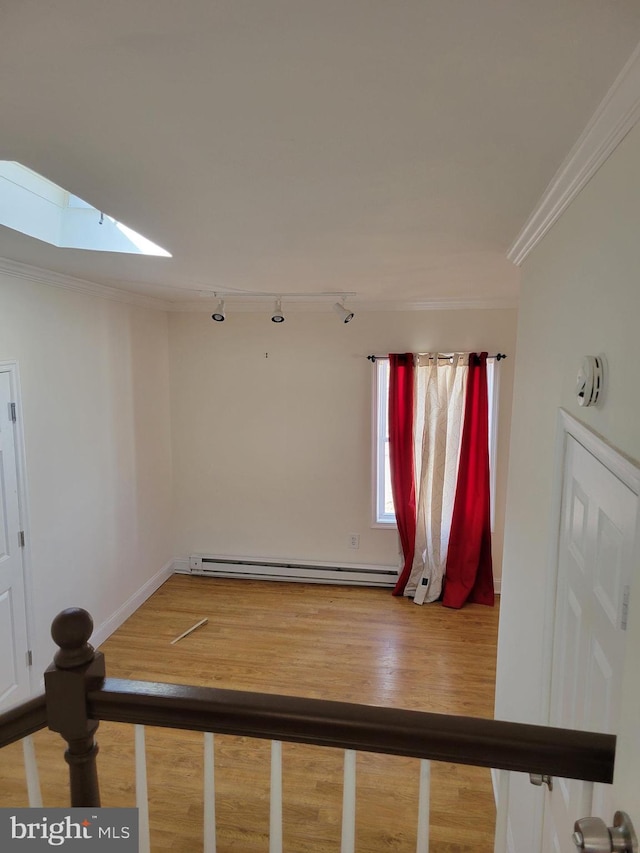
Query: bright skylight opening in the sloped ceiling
(39, 208)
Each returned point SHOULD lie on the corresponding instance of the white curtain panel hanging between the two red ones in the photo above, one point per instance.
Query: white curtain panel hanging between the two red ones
(440, 395)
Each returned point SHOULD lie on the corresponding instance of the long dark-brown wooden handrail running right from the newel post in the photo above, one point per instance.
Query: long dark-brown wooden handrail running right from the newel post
(440, 737)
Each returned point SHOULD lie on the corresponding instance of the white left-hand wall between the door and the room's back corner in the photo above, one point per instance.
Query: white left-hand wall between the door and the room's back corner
(95, 396)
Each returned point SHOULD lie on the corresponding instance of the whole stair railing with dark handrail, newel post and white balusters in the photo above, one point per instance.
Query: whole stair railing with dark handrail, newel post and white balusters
(79, 696)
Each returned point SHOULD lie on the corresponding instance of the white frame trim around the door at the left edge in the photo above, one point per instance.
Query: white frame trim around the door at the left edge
(11, 367)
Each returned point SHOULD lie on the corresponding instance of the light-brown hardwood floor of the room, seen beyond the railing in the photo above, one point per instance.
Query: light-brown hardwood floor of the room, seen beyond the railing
(344, 643)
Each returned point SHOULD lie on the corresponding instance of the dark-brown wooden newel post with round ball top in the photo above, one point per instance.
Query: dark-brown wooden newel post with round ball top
(75, 670)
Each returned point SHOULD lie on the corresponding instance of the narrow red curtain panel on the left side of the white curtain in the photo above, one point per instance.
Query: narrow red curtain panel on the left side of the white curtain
(401, 458)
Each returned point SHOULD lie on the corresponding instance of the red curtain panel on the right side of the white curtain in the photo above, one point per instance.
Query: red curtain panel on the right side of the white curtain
(469, 572)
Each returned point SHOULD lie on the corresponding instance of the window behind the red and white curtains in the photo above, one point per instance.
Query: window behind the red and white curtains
(384, 514)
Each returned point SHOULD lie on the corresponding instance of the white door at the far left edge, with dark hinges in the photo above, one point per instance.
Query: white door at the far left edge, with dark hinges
(14, 670)
